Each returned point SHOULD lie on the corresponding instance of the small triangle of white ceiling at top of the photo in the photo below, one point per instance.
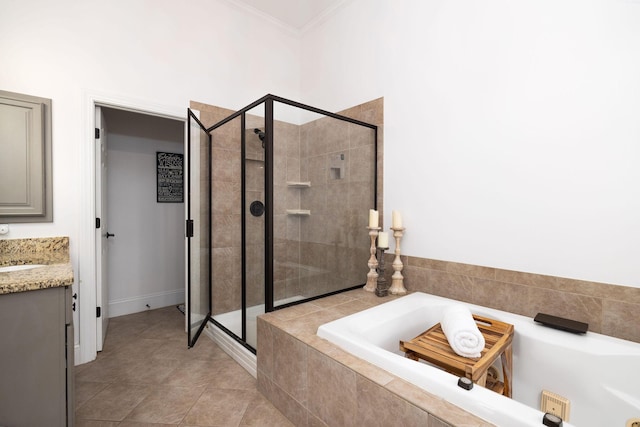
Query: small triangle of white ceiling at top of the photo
(296, 14)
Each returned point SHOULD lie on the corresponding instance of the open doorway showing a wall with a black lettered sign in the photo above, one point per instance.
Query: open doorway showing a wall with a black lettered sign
(144, 243)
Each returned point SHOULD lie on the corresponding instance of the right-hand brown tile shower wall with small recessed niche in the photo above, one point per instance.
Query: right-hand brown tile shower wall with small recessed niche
(338, 200)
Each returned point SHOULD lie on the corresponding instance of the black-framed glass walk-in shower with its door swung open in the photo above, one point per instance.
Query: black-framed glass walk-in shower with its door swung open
(279, 194)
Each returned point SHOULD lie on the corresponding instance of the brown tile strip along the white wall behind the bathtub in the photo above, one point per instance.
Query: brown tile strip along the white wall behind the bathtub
(608, 309)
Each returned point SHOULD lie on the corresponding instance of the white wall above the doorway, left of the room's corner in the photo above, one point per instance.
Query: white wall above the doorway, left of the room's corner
(160, 53)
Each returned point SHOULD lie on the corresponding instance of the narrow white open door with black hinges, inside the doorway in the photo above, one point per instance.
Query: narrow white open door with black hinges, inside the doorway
(102, 233)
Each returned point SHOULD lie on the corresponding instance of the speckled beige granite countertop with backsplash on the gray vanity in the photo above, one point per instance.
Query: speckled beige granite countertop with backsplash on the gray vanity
(52, 253)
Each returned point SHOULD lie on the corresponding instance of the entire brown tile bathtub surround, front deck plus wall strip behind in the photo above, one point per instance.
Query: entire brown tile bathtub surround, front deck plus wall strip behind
(315, 383)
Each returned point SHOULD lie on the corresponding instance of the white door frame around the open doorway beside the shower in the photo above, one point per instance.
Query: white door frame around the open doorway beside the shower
(86, 349)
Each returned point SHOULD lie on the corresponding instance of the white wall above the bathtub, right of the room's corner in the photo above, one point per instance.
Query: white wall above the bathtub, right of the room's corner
(512, 136)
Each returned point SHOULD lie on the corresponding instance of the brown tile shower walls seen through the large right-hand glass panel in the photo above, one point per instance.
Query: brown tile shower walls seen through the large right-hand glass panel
(323, 252)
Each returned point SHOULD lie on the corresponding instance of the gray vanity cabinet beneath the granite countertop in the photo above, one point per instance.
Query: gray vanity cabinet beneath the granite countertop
(36, 358)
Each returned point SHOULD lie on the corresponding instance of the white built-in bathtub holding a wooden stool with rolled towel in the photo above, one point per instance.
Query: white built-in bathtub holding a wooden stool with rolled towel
(600, 375)
